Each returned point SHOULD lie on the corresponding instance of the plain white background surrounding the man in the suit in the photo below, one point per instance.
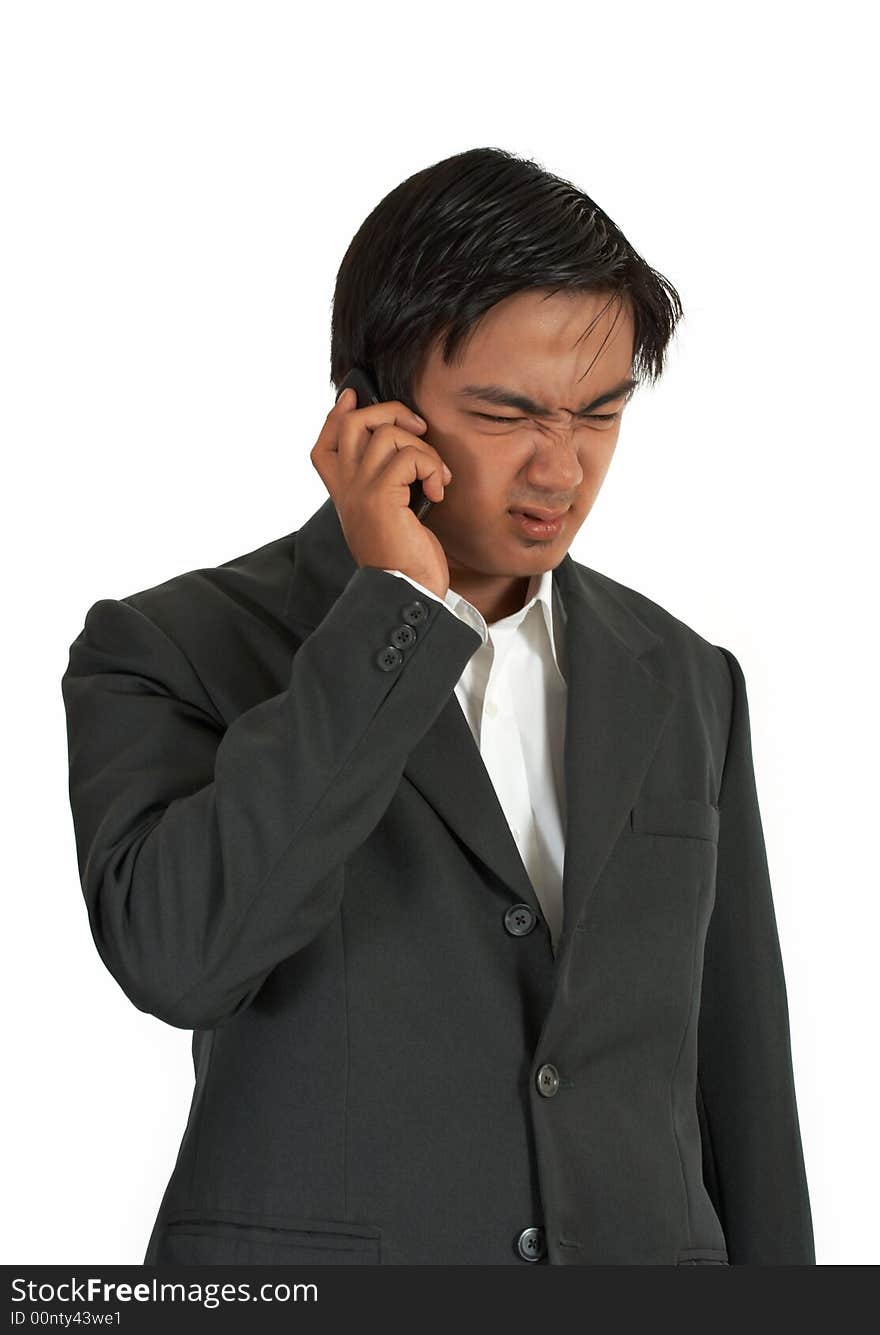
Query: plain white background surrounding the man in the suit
(181, 182)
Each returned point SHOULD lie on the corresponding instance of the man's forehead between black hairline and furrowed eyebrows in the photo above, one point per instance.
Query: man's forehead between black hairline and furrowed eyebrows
(547, 346)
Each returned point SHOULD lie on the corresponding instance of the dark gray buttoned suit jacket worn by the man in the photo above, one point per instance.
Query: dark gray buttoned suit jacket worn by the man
(289, 844)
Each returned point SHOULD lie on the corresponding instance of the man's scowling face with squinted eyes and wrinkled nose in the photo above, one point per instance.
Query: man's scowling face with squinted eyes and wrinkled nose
(535, 346)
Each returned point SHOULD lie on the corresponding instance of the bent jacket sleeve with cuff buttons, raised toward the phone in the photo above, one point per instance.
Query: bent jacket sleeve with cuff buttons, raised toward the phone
(208, 852)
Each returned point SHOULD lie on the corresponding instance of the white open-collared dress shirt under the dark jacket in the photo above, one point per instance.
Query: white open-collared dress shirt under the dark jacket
(513, 695)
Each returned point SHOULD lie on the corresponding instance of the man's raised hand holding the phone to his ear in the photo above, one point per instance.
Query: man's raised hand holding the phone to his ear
(371, 460)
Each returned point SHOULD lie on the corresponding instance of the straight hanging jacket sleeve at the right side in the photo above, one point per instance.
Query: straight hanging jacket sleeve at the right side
(754, 1157)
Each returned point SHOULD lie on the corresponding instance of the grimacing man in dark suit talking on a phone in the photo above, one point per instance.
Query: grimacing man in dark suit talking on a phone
(445, 846)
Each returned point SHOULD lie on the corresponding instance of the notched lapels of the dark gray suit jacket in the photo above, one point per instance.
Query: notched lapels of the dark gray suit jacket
(616, 712)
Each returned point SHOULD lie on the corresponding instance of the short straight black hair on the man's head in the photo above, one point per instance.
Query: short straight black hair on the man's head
(453, 240)
